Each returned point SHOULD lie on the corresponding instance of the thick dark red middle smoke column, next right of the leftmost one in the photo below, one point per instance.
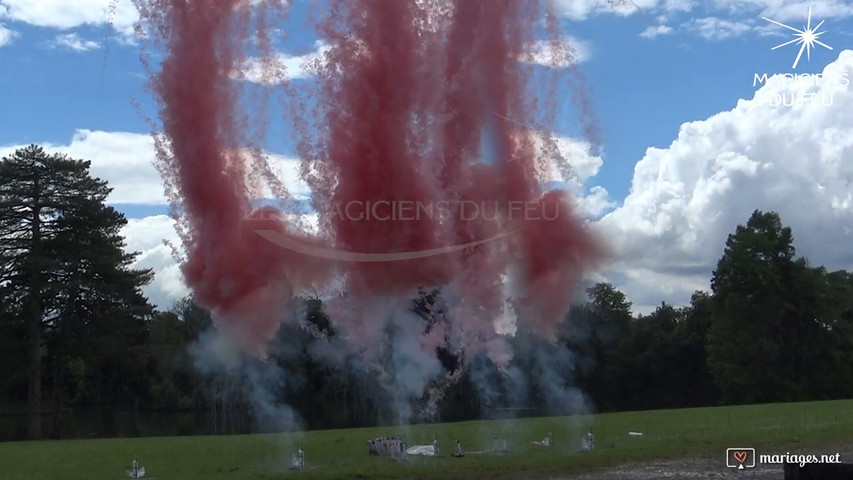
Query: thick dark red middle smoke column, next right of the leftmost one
(373, 150)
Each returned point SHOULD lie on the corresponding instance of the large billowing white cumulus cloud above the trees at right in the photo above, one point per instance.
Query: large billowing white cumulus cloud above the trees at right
(686, 199)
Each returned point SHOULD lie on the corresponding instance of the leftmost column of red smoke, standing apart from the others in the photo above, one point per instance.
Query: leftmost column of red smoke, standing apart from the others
(229, 267)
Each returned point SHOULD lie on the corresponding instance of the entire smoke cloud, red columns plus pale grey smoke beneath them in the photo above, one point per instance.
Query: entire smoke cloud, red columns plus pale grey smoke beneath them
(420, 103)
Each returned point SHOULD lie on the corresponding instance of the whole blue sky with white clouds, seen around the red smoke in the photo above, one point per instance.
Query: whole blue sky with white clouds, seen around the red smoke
(693, 137)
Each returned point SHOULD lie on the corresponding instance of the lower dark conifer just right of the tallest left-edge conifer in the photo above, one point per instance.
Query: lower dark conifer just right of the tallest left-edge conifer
(102, 309)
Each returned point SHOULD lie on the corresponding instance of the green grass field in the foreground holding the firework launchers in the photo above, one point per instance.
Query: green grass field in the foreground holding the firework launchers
(342, 454)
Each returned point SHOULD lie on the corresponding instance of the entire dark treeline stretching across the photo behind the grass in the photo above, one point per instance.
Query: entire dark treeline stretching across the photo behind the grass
(76, 332)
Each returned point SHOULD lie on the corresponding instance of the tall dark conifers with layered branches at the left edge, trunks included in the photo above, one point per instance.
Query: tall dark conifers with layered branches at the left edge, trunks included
(67, 277)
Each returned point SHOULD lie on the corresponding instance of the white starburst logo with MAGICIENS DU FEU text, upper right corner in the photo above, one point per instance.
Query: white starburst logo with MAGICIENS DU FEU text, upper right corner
(807, 38)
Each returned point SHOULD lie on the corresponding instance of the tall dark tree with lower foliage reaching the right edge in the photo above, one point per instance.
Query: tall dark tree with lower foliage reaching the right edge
(777, 322)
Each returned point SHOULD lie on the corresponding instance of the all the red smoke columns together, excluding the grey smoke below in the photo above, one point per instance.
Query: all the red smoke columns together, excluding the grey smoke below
(410, 93)
